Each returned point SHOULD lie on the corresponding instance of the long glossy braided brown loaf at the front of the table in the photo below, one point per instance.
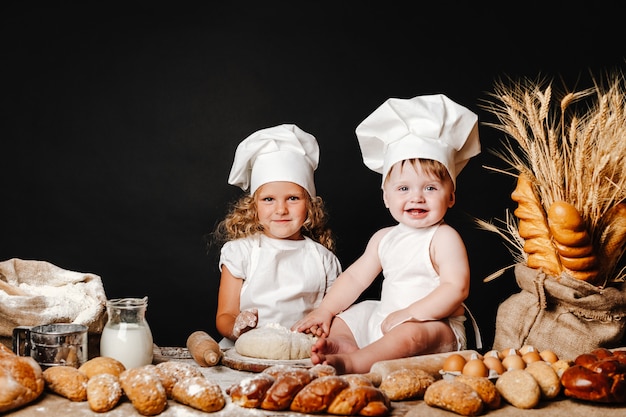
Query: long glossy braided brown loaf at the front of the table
(304, 391)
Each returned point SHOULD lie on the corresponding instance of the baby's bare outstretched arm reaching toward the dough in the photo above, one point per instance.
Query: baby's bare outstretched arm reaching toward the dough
(344, 292)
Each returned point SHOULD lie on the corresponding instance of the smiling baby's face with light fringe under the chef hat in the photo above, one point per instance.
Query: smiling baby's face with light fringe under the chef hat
(415, 198)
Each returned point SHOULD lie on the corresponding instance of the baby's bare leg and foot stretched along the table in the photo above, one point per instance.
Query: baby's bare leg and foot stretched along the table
(407, 339)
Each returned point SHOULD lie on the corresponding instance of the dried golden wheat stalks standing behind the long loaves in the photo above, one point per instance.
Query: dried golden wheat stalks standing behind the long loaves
(575, 151)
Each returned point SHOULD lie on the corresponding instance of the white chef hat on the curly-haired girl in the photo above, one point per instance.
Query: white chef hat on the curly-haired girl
(280, 153)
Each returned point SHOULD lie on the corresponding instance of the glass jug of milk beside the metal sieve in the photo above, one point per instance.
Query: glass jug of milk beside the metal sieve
(126, 335)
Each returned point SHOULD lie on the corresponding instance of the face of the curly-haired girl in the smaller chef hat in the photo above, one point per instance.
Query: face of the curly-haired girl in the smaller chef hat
(282, 209)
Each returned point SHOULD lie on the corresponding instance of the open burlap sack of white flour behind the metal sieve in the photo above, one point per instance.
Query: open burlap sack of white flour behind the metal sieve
(37, 292)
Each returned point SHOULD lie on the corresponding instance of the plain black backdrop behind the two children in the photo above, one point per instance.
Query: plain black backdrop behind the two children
(120, 124)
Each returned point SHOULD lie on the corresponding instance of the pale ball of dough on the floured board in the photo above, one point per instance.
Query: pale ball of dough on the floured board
(275, 342)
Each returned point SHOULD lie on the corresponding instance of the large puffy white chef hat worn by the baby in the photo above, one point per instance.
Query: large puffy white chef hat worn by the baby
(428, 127)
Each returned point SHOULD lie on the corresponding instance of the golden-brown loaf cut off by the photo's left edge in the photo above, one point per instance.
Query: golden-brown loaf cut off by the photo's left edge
(21, 379)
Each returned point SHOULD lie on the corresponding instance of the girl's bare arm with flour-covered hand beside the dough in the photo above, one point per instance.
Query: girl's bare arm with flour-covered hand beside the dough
(230, 321)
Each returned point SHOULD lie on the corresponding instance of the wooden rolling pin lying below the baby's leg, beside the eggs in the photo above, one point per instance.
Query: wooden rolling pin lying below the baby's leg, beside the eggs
(430, 363)
